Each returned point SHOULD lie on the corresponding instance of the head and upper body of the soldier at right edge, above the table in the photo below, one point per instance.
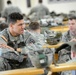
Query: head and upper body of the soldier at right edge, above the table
(72, 27)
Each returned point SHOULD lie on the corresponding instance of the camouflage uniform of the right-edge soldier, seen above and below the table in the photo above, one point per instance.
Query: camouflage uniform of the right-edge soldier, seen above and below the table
(64, 54)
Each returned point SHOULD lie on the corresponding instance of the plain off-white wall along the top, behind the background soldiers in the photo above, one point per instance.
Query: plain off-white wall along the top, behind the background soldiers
(64, 7)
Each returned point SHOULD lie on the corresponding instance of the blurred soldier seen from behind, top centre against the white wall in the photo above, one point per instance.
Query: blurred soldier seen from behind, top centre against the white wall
(38, 12)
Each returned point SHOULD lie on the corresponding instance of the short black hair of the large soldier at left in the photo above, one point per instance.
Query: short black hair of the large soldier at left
(13, 17)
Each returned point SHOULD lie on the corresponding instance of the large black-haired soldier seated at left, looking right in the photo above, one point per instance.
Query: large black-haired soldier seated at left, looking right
(13, 39)
